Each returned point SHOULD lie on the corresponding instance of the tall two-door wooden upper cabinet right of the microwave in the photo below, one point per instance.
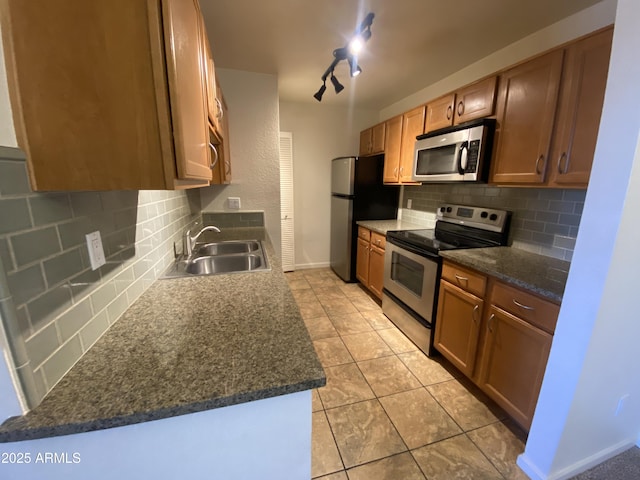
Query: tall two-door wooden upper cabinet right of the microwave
(548, 114)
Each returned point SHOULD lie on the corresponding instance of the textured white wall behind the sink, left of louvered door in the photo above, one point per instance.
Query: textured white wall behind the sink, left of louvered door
(252, 99)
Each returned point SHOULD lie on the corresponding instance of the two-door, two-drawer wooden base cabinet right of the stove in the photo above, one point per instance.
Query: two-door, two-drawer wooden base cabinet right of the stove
(499, 339)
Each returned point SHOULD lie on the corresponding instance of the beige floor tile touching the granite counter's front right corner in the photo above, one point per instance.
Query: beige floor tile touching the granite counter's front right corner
(345, 385)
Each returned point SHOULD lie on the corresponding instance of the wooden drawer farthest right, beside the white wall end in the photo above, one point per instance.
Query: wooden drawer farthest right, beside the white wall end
(534, 310)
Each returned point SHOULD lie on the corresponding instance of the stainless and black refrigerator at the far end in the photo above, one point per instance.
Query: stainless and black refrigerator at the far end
(357, 193)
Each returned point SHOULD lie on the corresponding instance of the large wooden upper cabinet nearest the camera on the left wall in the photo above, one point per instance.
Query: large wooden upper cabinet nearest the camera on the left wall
(106, 104)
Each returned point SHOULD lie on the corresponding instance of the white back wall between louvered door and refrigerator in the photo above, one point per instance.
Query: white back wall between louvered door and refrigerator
(320, 133)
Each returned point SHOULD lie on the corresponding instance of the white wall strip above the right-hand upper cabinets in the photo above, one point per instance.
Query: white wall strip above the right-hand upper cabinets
(590, 19)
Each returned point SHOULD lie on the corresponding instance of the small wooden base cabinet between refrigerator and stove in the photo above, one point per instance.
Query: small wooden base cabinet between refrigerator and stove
(370, 260)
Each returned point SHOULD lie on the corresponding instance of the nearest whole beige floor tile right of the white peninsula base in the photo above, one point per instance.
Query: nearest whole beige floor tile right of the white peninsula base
(364, 433)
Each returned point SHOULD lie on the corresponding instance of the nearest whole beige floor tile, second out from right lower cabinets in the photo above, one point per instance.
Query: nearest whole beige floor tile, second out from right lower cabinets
(418, 418)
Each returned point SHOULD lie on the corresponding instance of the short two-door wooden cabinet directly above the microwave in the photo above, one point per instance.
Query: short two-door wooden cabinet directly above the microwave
(468, 103)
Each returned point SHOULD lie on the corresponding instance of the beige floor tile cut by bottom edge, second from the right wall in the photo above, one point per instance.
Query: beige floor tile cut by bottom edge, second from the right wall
(455, 457)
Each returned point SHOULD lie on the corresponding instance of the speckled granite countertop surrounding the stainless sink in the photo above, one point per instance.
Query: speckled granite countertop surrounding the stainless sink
(186, 345)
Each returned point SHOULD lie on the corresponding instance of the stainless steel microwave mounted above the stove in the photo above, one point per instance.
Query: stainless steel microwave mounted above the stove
(455, 154)
